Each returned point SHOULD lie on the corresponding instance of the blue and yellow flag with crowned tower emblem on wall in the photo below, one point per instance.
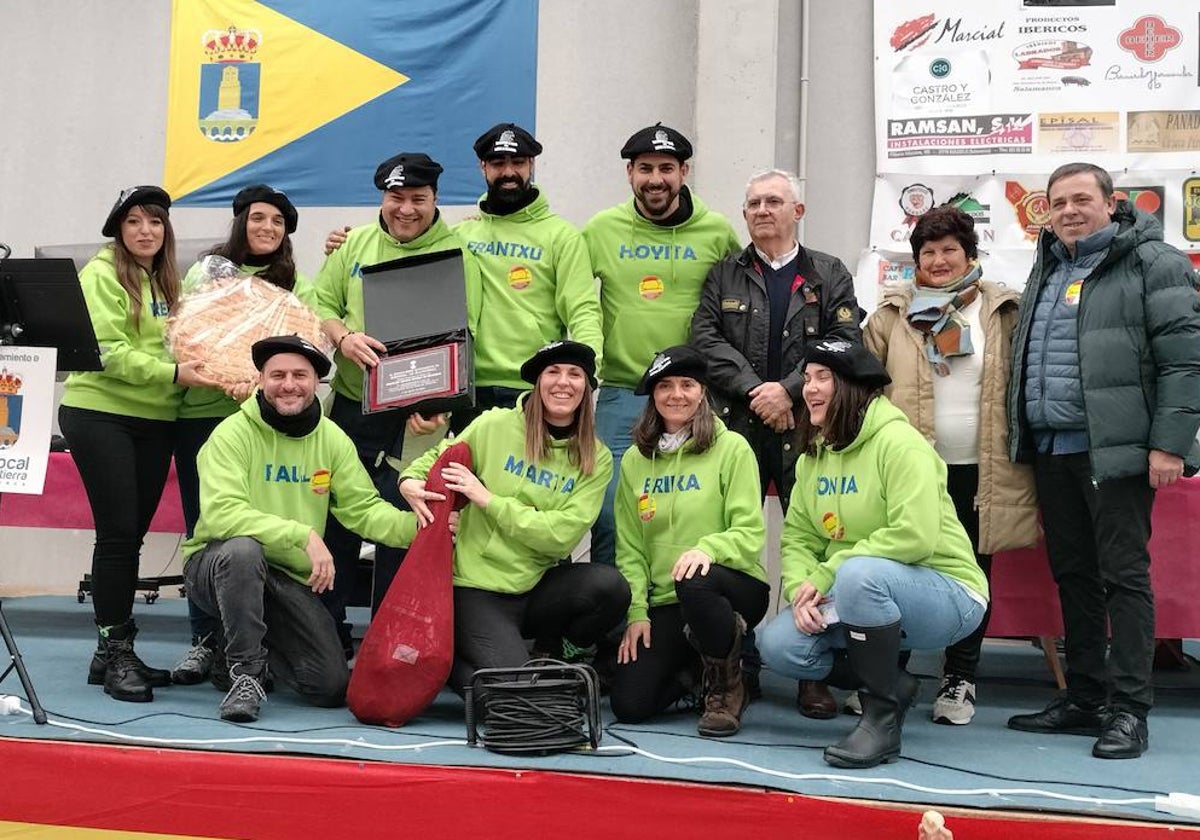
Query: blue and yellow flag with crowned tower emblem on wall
(310, 97)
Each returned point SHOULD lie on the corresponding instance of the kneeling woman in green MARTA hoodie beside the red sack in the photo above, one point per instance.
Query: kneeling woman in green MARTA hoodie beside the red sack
(538, 482)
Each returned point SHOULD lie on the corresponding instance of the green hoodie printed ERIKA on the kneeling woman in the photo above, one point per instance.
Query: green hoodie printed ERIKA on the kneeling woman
(673, 503)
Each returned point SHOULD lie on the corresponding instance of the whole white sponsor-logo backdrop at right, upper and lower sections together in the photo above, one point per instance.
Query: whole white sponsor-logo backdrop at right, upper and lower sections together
(979, 104)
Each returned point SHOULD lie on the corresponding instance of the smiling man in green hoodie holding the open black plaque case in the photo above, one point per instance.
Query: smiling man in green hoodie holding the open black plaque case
(410, 224)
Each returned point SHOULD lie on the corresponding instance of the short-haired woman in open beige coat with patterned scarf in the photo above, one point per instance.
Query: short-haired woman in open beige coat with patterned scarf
(947, 346)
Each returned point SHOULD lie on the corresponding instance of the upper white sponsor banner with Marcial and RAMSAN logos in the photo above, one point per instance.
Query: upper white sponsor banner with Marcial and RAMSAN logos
(1023, 88)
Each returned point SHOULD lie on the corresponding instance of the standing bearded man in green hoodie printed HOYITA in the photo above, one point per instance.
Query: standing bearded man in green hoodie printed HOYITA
(652, 255)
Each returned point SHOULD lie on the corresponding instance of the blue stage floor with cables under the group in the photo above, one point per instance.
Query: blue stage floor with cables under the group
(980, 766)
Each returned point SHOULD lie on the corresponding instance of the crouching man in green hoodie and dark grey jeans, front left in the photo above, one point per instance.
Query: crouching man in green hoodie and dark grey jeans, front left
(269, 477)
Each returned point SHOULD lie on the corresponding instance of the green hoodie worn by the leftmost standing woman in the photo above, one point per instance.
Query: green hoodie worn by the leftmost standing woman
(139, 380)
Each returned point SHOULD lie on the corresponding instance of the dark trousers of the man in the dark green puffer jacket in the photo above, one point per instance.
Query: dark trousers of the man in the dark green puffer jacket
(1096, 539)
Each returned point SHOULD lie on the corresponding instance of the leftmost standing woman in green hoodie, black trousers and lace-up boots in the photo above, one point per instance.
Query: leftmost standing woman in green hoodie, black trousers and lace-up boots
(121, 421)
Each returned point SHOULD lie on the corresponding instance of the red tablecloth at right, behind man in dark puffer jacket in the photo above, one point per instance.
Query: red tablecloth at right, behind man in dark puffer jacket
(1025, 601)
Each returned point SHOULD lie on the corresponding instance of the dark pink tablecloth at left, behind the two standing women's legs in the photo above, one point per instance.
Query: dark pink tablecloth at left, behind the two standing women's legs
(64, 503)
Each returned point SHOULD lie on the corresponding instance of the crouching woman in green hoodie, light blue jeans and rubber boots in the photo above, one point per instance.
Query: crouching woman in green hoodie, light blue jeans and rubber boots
(872, 539)
